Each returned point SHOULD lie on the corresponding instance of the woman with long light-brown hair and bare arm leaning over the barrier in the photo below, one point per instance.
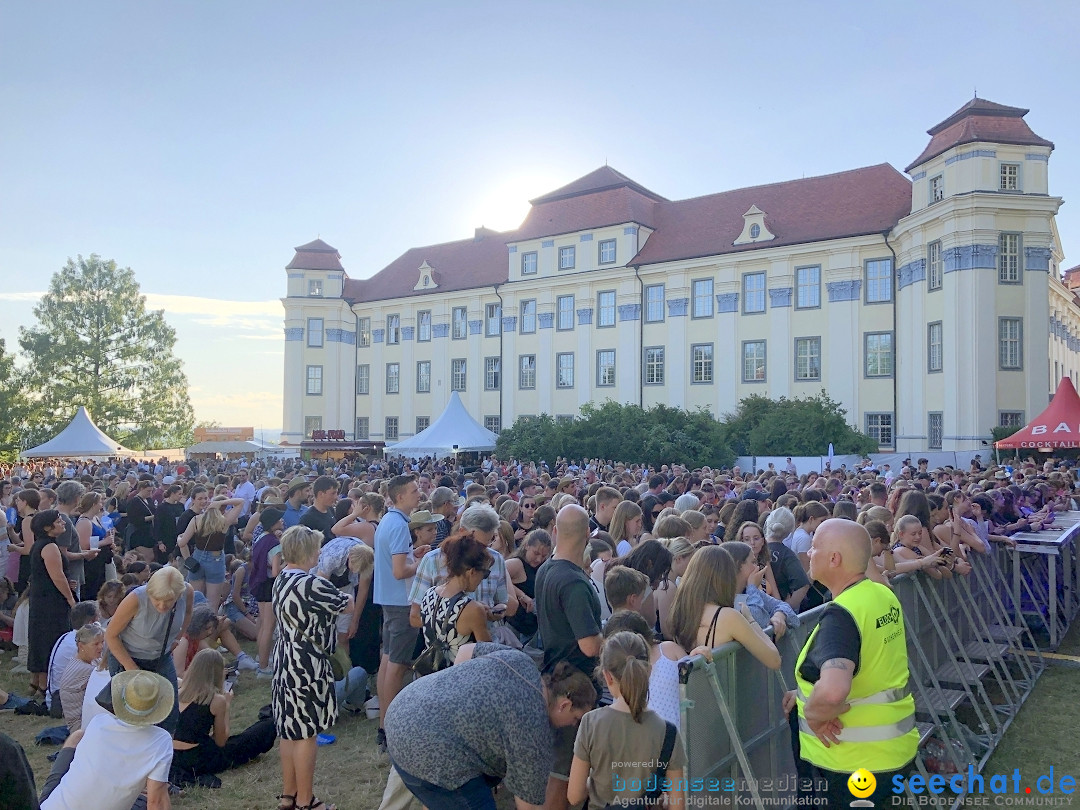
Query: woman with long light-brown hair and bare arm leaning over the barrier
(705, 614)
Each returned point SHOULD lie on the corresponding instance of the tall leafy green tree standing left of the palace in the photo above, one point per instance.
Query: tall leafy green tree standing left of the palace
(97, 345)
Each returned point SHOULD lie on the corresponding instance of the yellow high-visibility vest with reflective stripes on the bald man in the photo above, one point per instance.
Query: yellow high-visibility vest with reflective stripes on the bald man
(880, 731)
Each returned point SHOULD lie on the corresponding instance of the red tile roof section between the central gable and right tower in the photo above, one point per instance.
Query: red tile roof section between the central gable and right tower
(853, 204)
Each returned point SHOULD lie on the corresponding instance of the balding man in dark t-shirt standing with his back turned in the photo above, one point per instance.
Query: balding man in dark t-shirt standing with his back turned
(569, 613)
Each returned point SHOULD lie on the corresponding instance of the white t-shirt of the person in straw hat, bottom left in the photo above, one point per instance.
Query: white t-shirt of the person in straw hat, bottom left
(128, 754)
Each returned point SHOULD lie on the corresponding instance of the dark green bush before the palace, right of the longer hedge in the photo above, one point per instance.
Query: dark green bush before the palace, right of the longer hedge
(796, 427)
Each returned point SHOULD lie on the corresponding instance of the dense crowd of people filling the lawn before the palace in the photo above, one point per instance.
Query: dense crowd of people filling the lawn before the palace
(560, 588)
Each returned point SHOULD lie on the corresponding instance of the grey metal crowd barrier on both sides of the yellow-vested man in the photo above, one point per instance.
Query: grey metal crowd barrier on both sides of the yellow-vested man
(975, 660)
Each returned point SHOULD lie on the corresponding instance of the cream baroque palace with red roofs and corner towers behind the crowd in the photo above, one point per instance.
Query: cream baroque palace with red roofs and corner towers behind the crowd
(923, 304)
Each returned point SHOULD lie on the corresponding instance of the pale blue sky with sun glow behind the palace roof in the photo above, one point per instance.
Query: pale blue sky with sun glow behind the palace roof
(199, 143)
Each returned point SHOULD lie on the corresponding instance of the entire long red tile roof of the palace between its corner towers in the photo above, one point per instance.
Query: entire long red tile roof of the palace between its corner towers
(850, 204)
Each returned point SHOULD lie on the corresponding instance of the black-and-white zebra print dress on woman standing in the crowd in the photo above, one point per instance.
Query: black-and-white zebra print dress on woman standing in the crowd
(303, 694)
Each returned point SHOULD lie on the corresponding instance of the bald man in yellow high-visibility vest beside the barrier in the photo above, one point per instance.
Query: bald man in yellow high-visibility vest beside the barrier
(855, 707)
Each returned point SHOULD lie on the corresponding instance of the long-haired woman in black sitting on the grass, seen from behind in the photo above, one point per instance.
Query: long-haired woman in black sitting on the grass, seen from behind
(202, 747)
